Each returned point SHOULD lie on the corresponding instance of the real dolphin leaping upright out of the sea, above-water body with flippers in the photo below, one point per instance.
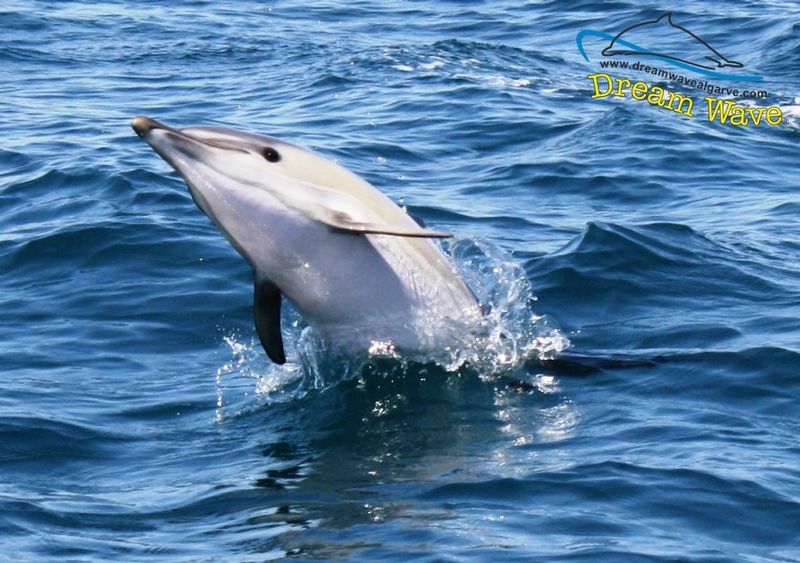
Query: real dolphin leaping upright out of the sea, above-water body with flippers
(354, 264)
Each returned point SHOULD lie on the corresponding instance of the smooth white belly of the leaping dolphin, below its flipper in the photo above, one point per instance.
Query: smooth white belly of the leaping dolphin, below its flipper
(354, 287)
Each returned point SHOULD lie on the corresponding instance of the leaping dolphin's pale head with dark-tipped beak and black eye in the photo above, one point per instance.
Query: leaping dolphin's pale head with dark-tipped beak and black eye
(239, 179)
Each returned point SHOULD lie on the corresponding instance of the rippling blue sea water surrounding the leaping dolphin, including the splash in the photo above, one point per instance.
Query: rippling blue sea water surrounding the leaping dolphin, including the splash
(141, 421)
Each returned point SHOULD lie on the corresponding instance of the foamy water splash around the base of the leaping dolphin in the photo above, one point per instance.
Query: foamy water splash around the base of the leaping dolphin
(509, 334)
